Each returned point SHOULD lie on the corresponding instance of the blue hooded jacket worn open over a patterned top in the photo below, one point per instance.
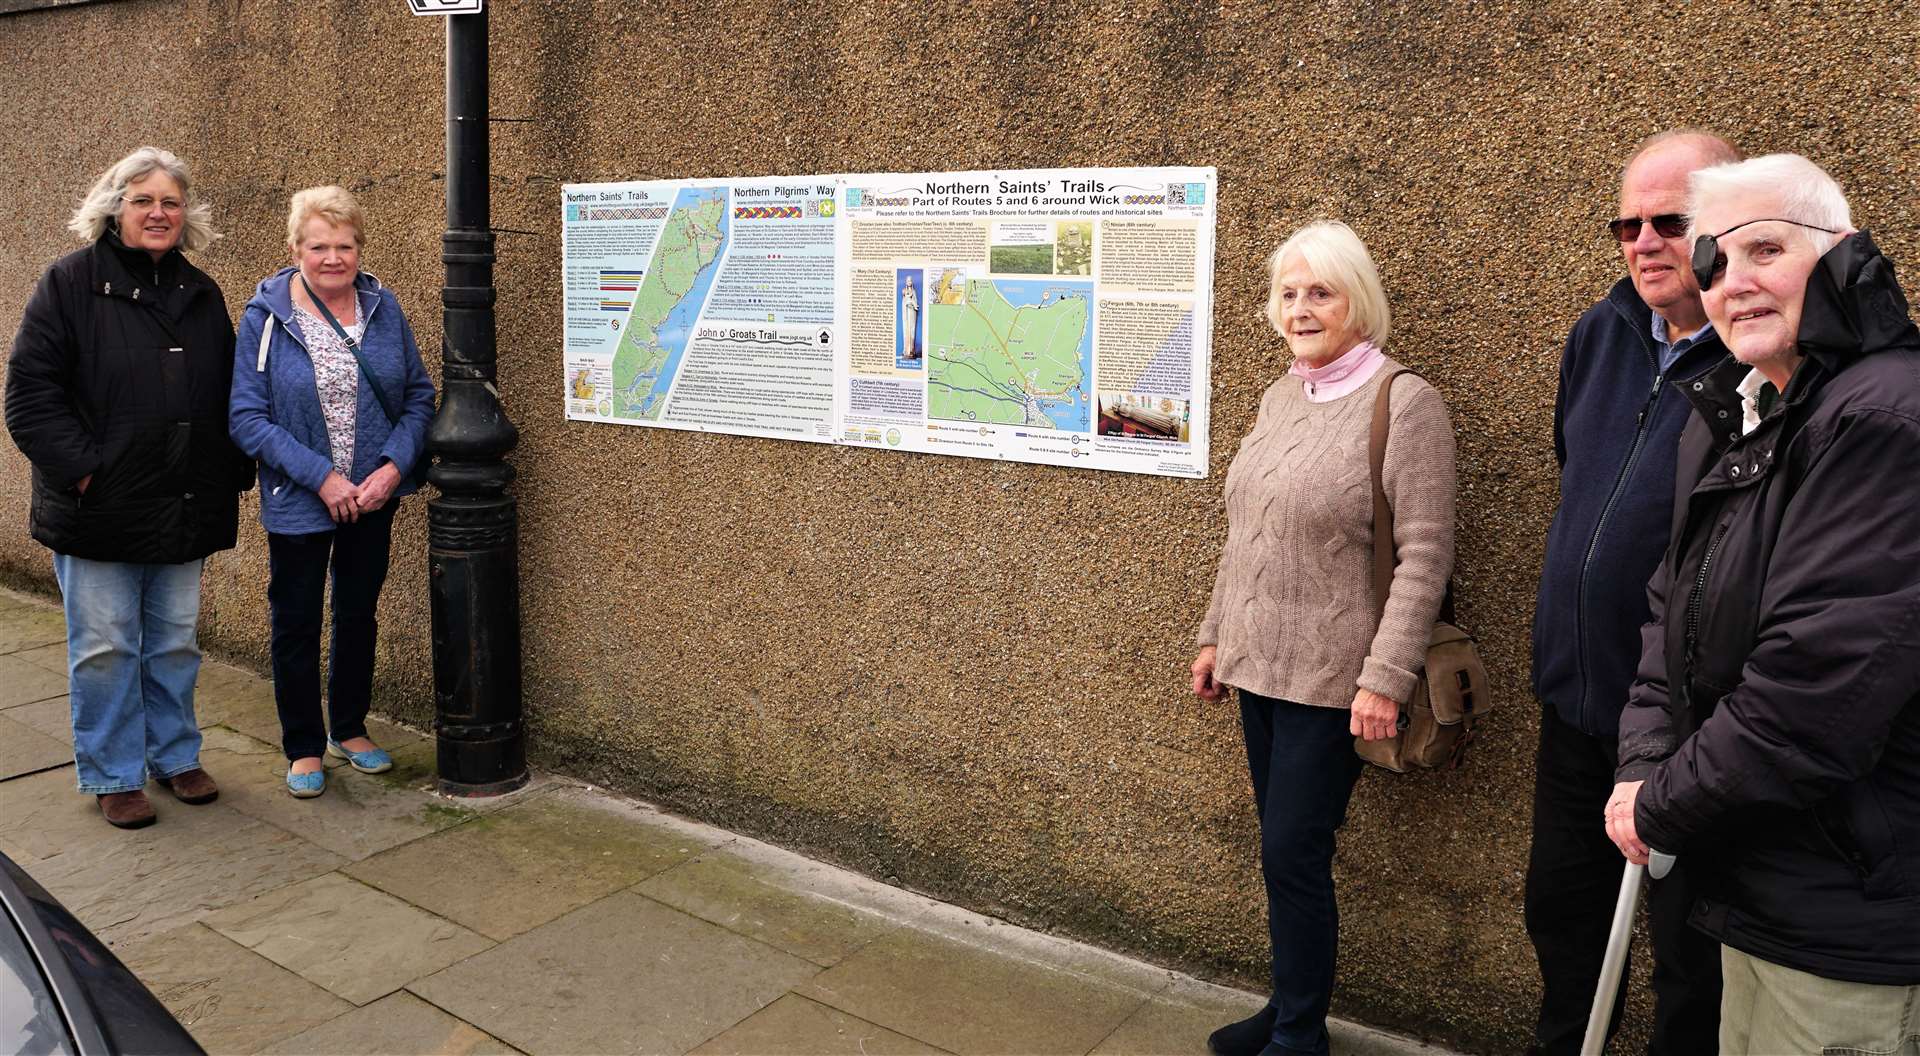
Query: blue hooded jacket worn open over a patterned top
(276, 408)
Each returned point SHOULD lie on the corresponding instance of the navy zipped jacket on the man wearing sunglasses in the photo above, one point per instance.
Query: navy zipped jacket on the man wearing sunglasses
(1616, 435)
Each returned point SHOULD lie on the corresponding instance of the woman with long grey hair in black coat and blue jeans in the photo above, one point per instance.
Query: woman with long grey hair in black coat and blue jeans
(118, 396)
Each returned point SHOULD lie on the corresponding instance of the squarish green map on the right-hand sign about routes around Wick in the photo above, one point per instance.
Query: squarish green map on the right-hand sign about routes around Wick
(1011, 352)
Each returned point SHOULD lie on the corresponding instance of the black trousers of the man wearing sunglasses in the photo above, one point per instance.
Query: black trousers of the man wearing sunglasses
(1573, 880)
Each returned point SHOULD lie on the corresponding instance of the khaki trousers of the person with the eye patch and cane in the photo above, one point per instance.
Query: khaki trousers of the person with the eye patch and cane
(1773, 1011)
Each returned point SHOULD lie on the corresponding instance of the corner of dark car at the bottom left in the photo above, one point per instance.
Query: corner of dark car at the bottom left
(62, 992)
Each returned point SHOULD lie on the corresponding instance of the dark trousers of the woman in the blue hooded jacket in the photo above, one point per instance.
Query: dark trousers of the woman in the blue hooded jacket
(299, 579)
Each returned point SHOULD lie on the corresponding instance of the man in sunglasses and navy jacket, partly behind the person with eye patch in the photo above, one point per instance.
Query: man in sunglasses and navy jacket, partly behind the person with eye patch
(1616, 425)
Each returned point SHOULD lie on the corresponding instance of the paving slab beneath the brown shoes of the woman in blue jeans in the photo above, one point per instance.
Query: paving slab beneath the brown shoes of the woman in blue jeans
(128, 886)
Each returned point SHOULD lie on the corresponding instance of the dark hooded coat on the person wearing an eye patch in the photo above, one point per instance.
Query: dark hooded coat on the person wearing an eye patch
(1777, 711)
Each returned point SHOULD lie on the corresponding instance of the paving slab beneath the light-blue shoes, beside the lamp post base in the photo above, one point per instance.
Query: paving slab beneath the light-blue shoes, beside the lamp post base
(358, 817)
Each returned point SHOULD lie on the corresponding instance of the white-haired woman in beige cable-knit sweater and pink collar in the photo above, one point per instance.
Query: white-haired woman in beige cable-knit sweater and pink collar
(1293, 623)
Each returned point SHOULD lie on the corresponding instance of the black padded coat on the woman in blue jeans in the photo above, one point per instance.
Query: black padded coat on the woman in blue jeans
(122, 370)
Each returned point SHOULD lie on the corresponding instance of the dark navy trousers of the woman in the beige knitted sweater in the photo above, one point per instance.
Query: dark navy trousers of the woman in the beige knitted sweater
(1305, 769)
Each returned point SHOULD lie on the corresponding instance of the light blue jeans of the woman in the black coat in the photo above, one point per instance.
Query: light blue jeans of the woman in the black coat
(132, 669)
